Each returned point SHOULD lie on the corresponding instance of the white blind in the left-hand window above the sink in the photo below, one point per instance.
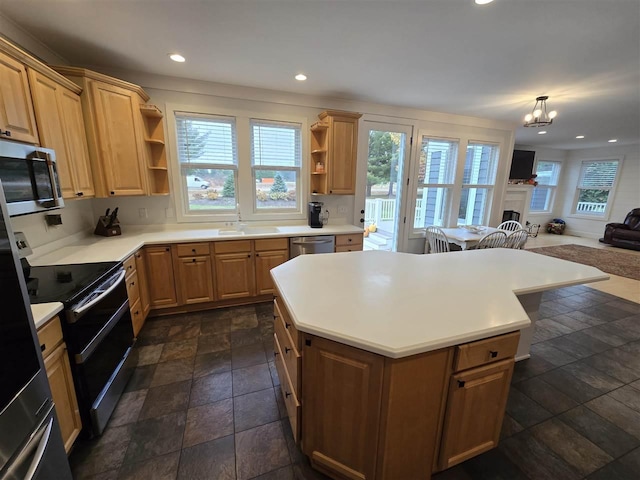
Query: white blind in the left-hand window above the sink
(206, 141)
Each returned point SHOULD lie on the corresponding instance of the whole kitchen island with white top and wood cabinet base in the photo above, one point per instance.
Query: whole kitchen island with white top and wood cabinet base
(396, 365)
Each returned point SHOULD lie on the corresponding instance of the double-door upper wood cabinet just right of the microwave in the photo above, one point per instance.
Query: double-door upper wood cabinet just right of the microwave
(59, 116)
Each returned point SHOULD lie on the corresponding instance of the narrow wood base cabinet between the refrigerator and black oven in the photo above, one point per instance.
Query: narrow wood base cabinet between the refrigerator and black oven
(56, 362)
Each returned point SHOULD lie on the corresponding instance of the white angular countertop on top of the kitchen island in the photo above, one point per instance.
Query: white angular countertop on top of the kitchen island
(399, 304)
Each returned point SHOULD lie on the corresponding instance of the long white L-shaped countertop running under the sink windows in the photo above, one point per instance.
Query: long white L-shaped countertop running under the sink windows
(94, 248)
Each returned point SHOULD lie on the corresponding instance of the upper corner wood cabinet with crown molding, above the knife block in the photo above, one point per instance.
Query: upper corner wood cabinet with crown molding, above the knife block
(115, 132)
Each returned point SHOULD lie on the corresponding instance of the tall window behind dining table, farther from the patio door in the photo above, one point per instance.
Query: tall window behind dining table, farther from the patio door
(477, 183)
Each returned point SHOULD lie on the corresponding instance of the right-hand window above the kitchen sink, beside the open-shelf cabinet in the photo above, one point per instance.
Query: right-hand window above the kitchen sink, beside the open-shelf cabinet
(276, 158)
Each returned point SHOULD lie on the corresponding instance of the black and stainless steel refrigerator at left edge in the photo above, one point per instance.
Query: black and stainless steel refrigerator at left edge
(30, 441)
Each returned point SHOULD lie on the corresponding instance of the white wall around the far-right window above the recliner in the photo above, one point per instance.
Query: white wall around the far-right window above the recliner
(626, 196)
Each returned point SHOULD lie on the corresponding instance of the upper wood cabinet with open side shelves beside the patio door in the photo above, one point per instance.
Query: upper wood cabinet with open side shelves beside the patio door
(334, 141)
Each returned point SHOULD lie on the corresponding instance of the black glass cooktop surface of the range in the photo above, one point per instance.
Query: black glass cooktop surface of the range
(65, 283)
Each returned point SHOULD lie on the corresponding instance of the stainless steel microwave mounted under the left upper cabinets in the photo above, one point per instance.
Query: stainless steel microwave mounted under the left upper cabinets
(29, 178)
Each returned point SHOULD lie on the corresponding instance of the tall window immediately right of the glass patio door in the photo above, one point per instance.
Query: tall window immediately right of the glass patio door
(435, 181)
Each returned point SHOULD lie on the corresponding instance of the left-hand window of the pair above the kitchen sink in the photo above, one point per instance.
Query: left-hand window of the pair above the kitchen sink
(208, 159)
